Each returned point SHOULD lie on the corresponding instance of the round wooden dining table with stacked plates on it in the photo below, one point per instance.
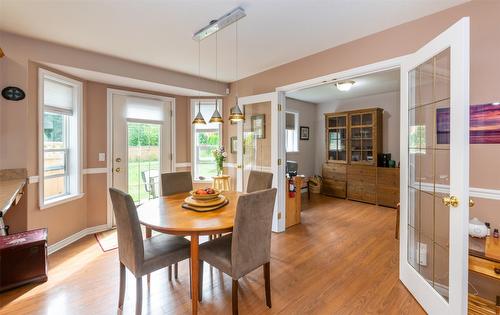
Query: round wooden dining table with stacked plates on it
(166, 215)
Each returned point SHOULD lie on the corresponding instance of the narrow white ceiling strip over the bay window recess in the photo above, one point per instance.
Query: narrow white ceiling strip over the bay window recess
(127, 82)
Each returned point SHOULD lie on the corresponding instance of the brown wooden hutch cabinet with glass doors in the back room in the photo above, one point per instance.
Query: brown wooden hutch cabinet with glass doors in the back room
(353, 142)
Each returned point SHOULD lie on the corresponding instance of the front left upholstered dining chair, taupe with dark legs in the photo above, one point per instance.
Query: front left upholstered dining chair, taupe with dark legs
(141, 256)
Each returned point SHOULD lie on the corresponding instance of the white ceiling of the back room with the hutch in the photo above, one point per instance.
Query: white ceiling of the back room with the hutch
(375, 83)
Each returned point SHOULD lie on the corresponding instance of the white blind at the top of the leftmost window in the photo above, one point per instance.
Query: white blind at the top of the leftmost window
(58, 97)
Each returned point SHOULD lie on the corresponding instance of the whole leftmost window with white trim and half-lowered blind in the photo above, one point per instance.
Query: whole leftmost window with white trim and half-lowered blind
(60, 138)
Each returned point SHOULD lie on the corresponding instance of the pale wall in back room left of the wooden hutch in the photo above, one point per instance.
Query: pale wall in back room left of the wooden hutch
(307, 118)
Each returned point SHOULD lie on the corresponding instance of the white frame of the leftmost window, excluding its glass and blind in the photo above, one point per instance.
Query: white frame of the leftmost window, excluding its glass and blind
(73, 142)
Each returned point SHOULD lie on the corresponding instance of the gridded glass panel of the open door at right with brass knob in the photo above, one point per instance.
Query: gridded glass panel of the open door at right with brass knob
(429, 170)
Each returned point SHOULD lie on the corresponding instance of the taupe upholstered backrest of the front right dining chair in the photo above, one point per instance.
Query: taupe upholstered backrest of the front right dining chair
(251, 243)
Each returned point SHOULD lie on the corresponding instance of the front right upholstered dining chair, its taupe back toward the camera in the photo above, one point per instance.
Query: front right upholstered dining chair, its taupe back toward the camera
(248, 247)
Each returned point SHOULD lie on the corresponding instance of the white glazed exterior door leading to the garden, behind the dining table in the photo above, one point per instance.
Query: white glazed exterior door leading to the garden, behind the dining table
(141, 149)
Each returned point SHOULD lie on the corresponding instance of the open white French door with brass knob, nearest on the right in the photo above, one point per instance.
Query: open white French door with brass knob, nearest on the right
(435, 172)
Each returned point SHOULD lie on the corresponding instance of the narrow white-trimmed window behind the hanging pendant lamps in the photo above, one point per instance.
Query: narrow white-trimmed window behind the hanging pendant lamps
(205, 139)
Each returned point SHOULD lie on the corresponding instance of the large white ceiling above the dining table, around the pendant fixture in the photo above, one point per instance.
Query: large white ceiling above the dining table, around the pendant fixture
(159, 32)
